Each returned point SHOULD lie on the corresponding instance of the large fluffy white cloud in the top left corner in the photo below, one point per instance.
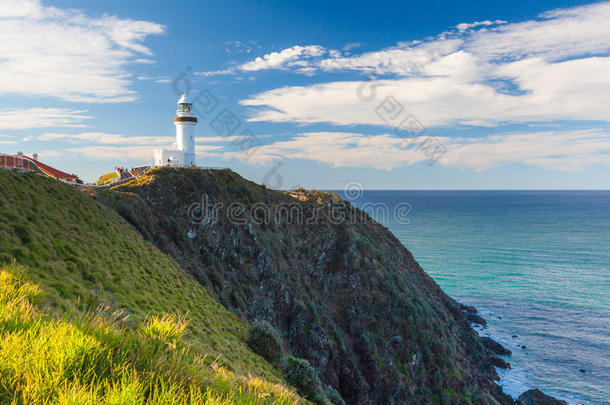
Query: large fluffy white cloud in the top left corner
(68, 55)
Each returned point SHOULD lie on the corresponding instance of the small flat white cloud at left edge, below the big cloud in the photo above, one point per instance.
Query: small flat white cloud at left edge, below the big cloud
(41, 118)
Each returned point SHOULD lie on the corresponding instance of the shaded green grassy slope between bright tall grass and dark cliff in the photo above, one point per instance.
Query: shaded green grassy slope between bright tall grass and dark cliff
(83, 255)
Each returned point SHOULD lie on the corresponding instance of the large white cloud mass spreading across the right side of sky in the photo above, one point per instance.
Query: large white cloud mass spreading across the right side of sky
(500, 73)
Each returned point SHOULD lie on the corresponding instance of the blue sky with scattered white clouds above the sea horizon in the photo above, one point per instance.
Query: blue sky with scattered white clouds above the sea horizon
(385, 95)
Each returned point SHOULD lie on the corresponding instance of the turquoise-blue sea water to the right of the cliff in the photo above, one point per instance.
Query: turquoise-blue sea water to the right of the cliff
(536, 264)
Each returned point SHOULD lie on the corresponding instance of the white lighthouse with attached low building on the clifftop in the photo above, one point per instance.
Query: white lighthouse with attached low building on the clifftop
(183, 150)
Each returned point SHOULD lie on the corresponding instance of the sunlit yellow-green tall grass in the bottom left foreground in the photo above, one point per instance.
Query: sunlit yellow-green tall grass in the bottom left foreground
(101, 357)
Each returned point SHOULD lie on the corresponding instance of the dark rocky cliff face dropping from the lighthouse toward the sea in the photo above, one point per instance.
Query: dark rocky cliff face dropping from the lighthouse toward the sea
(342, 291)
